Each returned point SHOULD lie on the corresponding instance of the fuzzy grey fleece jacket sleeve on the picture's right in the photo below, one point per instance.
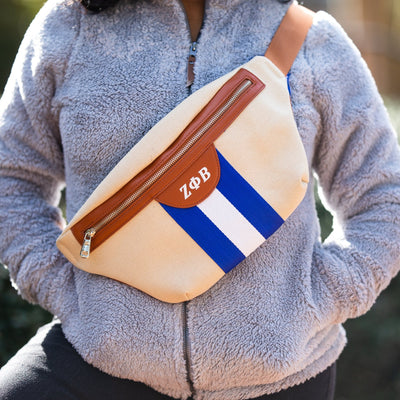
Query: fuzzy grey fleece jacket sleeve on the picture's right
(358, 166)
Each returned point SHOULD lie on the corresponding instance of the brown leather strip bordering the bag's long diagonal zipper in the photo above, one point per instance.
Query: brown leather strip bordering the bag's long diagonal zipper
(175, 171)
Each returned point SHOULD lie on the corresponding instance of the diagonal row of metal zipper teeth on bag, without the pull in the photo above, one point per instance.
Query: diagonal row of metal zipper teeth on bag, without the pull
(173, 160)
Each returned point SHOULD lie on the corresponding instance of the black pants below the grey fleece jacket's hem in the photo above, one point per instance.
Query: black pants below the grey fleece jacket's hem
(48, 368)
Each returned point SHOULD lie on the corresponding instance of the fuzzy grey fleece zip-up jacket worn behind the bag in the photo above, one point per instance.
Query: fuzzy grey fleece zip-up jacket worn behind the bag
(86, 87)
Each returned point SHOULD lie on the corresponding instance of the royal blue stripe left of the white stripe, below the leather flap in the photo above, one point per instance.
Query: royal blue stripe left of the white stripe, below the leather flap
(207, 236)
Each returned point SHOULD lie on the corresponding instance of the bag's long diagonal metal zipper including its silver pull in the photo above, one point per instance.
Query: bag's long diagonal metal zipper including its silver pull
(190, 142)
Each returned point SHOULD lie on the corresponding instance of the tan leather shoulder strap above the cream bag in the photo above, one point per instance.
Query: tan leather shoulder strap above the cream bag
(289, 37)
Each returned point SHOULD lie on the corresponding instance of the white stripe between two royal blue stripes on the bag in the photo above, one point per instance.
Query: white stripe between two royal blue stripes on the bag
(231, 222)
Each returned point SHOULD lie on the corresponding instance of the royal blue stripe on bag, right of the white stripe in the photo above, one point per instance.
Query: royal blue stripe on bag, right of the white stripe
(247, 201)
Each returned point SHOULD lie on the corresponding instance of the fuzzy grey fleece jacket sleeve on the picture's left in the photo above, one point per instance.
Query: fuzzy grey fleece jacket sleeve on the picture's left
(31, 160)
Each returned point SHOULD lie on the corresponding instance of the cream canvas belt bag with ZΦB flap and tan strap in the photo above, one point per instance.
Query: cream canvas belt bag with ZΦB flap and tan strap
(205, 187)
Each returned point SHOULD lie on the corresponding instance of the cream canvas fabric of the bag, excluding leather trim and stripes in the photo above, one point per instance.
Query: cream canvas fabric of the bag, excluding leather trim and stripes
(164, 261)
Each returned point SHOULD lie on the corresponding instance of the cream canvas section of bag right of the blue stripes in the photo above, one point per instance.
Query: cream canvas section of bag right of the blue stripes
(264, 146)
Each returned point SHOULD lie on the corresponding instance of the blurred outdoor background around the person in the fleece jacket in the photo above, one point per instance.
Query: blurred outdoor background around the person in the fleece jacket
(369, 368)
